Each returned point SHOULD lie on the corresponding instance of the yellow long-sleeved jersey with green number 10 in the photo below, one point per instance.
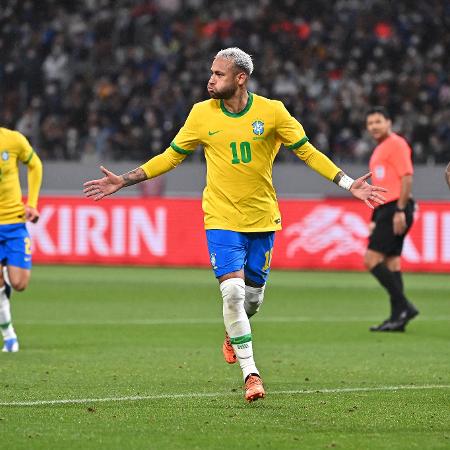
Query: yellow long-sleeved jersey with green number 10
(240, 149)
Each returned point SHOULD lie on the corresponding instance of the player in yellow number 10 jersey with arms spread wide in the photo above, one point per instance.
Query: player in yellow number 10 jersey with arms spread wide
(241, 133)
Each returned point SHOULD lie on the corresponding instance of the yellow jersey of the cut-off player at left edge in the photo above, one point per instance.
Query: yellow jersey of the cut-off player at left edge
(14, 147)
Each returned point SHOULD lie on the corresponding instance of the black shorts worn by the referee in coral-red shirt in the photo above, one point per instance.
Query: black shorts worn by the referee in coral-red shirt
(383, 239)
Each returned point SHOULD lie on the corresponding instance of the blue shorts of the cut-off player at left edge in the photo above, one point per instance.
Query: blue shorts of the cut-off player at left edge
(15, 245)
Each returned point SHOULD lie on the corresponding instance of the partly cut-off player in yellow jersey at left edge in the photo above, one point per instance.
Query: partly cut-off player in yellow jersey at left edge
(15, 243)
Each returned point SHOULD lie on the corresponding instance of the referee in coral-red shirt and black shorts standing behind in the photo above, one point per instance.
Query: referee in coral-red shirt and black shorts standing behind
(391, 167)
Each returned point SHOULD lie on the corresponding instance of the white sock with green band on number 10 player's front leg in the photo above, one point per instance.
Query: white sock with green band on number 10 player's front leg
(237, 324)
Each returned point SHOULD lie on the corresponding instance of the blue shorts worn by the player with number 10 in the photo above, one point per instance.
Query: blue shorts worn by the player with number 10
(230, 251)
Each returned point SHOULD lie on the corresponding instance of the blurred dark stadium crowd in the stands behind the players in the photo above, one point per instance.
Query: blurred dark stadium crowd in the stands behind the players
(115, 79)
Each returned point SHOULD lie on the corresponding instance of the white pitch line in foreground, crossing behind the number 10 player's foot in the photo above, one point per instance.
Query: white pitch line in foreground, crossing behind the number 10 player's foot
(134, 398)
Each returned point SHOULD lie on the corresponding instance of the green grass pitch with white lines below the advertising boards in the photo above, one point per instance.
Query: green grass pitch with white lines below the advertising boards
(136, 355)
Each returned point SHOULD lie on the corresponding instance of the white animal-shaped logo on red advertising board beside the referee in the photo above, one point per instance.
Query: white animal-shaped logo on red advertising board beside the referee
(330, 230)
